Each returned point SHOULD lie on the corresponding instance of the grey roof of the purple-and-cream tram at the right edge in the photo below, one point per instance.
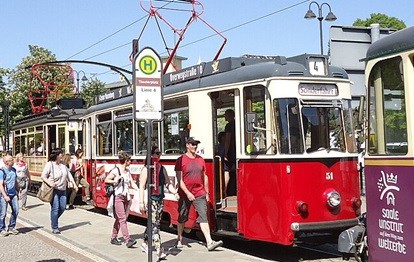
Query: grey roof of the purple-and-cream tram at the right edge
(396, 42)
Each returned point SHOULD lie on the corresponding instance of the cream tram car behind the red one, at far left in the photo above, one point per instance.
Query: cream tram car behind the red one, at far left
(37, 135)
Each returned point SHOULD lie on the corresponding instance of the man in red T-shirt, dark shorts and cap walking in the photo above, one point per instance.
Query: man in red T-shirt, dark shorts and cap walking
(193, 190)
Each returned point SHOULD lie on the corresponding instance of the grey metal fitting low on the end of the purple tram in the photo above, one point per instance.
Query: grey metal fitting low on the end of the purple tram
(353, 242)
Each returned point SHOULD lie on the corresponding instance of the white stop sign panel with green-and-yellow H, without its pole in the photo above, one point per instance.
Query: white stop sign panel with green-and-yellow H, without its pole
(147, 73)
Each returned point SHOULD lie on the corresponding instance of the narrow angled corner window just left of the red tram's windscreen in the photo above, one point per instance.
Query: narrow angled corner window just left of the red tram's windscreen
(289, 125)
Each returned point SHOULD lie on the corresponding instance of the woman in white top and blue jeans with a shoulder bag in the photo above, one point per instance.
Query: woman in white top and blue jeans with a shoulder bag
(57, 175)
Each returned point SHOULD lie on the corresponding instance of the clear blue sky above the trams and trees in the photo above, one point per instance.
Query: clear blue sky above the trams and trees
(102, 30)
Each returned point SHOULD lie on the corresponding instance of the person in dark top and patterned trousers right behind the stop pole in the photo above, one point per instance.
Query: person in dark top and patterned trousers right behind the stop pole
(157, 199)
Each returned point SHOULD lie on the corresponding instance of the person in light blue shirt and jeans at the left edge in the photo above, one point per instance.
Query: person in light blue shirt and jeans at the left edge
(9, 195)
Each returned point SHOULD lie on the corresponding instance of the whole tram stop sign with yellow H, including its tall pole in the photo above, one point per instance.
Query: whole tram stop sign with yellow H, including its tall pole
(148, 107)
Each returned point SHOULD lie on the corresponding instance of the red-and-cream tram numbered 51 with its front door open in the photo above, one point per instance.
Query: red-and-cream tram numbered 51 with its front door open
(296, 156)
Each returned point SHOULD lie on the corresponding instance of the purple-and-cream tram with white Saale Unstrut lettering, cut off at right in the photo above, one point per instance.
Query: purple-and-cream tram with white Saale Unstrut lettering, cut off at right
(389, 158)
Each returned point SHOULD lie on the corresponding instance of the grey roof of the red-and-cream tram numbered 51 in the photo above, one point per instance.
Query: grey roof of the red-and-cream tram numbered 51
(223, 72)
